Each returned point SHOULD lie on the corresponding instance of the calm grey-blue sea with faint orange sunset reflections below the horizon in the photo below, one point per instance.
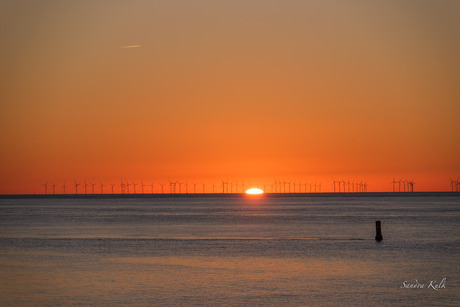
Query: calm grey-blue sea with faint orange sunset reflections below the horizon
(230, 250)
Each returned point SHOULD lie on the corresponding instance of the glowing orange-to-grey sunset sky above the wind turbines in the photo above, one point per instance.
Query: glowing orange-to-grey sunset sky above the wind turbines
(247, 90)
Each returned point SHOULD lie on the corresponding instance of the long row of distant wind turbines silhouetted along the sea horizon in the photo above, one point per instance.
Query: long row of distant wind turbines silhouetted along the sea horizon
(276, 186)
